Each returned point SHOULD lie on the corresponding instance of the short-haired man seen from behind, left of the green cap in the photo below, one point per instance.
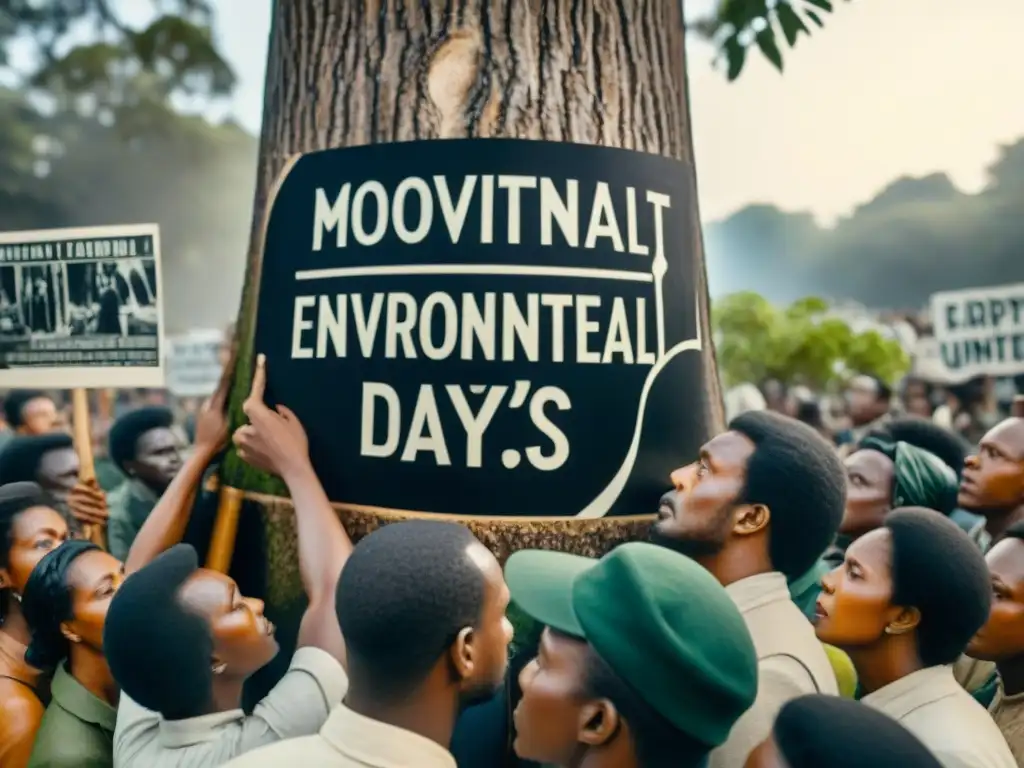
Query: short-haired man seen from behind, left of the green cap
(421, 606)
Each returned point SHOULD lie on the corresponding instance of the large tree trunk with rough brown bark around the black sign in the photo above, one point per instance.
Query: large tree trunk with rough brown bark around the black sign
(345, 73)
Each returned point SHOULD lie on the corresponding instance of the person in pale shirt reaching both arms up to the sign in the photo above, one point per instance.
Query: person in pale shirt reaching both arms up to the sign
(181, 641)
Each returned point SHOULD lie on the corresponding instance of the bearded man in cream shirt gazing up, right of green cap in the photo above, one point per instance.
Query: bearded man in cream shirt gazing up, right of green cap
(758, 508)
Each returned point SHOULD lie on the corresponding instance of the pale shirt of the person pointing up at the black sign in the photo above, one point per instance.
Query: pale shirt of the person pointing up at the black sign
(297, 706)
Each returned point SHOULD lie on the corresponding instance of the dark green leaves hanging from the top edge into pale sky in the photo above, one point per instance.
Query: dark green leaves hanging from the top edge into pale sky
(740, 26)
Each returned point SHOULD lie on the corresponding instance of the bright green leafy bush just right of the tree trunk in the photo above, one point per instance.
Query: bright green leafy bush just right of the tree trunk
(801, 344)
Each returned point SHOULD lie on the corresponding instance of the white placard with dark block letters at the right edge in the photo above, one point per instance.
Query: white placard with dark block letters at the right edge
(980, 331)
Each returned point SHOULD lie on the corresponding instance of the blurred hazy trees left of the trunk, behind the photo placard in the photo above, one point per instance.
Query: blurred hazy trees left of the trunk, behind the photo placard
(95, 134)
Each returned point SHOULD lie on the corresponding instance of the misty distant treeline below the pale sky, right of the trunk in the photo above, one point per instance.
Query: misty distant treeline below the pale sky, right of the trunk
(915, 238)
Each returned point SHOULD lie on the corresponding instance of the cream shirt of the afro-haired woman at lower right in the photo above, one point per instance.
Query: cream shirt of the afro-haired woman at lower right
(957, 730)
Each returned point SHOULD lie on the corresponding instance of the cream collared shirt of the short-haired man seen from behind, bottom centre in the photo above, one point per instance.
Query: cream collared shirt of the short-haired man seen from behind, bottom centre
(352, 741)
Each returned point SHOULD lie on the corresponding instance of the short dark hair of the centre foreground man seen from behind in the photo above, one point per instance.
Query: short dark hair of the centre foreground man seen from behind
(407, 591)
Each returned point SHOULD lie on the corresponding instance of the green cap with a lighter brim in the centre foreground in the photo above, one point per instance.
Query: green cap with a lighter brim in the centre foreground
(659, 620)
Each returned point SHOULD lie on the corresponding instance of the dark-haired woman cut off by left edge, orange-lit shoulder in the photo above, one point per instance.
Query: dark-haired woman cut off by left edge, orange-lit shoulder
(30, 528)
